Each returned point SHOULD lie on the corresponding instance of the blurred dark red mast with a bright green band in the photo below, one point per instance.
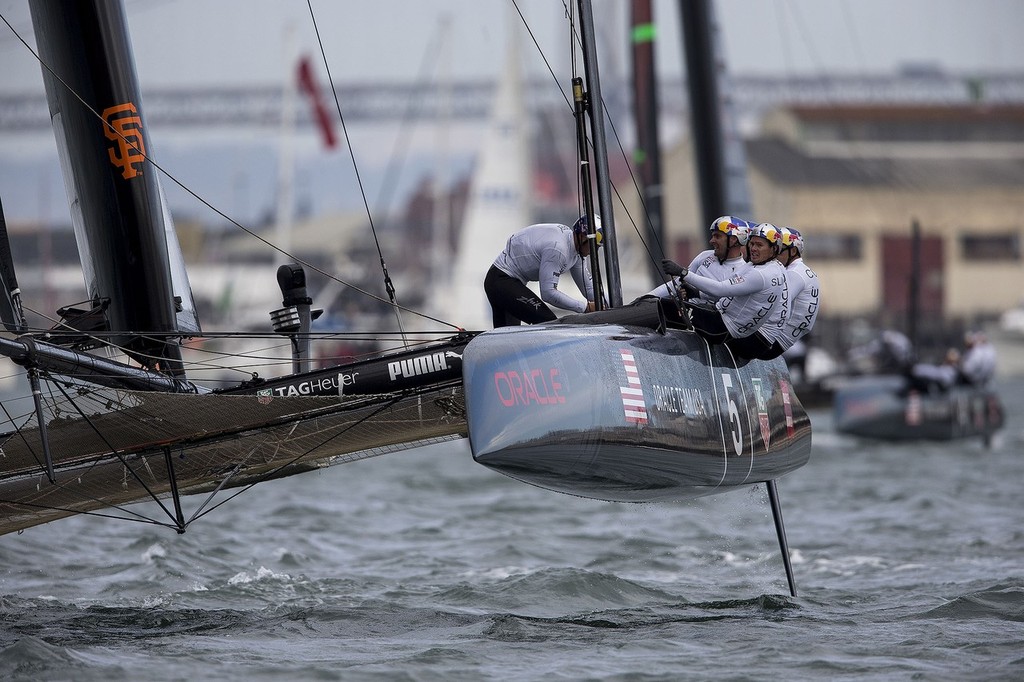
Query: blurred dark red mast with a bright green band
(648, 156)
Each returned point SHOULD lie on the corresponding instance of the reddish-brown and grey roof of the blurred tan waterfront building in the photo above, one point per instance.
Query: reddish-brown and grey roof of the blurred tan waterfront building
(913, 147)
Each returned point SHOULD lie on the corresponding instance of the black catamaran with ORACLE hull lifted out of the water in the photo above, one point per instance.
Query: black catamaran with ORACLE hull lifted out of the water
(619, 405)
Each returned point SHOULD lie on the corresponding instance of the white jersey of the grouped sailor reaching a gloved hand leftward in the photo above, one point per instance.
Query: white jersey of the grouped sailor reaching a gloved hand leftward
(749, 300)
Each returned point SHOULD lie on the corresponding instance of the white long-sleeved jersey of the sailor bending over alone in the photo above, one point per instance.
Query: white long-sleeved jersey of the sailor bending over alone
(542, 253)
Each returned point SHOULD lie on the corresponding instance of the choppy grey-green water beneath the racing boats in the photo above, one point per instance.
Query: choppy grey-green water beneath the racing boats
(423, 566)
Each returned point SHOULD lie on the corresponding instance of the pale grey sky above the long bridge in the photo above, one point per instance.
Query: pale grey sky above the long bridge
(182, 42)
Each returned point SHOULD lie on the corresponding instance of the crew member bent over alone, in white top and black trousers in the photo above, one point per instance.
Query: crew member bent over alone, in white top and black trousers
(541, 253)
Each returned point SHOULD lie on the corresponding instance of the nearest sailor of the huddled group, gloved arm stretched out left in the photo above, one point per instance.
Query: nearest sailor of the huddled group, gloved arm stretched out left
(747, 302)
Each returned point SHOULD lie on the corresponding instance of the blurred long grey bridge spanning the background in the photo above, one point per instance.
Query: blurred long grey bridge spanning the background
(472, 101)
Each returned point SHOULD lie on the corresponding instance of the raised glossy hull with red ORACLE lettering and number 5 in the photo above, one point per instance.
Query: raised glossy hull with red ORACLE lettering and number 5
(629, 414)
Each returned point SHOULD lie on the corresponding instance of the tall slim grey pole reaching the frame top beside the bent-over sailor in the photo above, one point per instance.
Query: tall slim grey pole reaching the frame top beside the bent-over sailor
(596, 109)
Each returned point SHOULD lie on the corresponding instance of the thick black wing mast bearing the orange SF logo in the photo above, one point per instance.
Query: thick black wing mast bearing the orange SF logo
(131, 255)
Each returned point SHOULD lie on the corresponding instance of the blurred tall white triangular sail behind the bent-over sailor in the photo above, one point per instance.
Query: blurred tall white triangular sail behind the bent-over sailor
(498, 204)
